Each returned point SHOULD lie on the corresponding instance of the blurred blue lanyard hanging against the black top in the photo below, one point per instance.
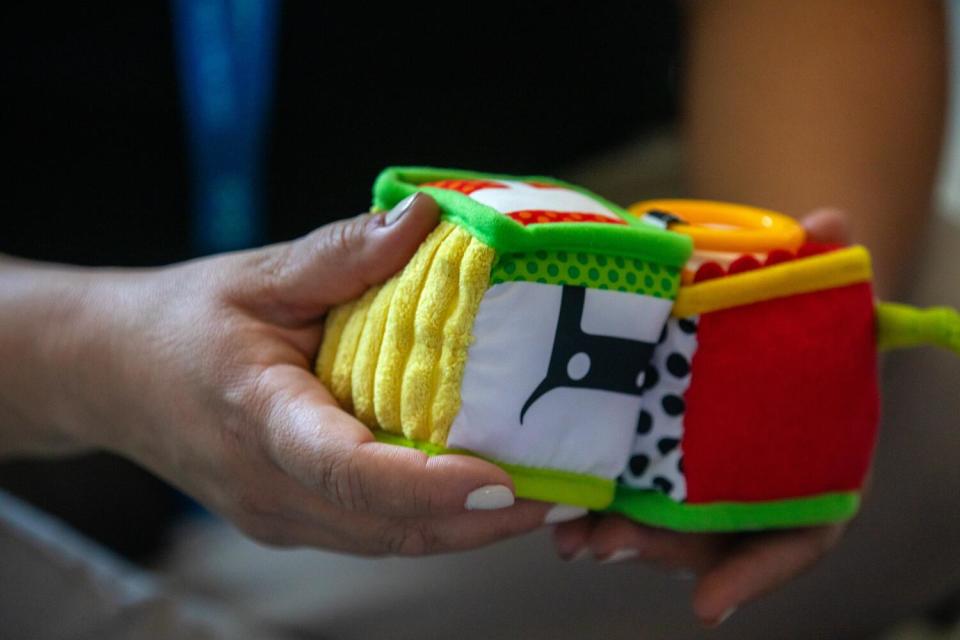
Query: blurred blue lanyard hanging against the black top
(226, 51)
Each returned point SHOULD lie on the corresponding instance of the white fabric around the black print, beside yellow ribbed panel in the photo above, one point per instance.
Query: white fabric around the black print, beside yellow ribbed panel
(580, 430)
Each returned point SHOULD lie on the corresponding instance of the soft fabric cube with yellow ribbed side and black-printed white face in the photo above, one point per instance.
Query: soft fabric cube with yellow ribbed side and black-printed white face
(520, 331)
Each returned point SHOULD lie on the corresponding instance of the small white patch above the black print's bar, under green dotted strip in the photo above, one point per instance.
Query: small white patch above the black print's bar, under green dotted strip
(612, 313)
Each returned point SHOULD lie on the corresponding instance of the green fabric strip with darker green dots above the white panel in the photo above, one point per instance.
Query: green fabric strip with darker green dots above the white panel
(587, 270)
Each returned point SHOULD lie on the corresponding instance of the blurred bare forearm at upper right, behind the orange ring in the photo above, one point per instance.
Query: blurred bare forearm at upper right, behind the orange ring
(800, 105)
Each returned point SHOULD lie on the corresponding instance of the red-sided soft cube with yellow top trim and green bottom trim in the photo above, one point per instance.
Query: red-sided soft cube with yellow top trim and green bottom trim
(766, 405)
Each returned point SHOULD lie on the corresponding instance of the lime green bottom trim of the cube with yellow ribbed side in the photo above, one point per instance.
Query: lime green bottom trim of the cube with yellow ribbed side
(547, 485)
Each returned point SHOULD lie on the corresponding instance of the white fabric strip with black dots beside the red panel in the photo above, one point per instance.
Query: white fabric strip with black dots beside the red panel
(657, 456)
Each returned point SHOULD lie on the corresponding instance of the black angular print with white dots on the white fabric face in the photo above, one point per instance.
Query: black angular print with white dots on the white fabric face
(586, 361)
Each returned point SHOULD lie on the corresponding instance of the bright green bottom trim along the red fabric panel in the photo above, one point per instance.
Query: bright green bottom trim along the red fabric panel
(656, 509)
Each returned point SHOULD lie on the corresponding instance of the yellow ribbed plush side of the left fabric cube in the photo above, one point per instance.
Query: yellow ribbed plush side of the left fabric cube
(396, 356)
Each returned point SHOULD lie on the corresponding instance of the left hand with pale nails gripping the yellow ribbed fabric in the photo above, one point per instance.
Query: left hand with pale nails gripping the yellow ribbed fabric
(201, 372)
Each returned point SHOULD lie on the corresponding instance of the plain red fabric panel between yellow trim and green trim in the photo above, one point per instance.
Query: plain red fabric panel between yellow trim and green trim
(783, 400)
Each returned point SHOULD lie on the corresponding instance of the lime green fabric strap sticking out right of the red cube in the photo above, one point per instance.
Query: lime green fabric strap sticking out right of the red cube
(900, 325)
